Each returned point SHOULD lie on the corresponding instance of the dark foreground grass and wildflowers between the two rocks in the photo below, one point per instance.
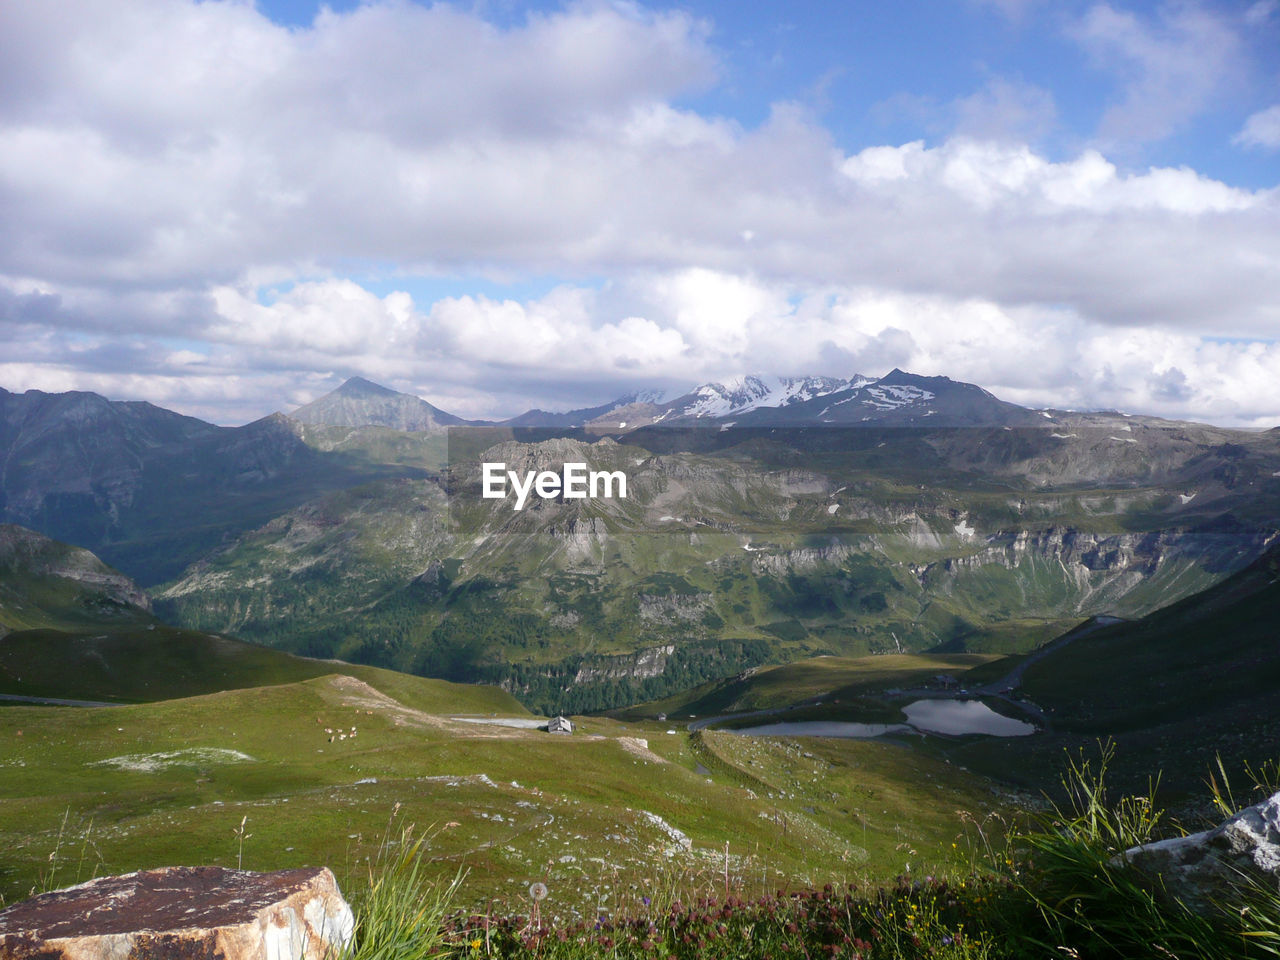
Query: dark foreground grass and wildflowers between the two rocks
(1049, 888)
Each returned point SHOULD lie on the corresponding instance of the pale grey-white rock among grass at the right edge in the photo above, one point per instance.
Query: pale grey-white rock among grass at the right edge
(1203, 867)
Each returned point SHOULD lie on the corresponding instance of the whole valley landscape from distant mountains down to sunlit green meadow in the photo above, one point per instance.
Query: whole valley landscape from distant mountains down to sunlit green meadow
(299, 641)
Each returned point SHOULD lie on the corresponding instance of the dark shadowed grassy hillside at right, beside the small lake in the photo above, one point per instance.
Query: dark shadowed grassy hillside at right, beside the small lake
(1176, 689)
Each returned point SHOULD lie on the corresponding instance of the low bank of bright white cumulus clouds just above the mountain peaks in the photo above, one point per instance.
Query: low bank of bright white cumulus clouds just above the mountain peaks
(578, 346)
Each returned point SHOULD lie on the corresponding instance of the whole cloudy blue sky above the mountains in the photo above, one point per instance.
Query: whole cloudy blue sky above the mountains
(228, 208)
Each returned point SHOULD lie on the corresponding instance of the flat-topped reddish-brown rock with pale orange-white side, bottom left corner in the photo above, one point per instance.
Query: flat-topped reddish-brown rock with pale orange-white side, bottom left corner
(184, 913)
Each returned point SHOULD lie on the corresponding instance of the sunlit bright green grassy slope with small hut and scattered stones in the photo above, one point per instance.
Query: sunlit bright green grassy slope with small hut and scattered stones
(593, 815)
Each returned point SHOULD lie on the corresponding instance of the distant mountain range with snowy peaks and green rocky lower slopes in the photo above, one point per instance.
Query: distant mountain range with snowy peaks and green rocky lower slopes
(939, 518)
